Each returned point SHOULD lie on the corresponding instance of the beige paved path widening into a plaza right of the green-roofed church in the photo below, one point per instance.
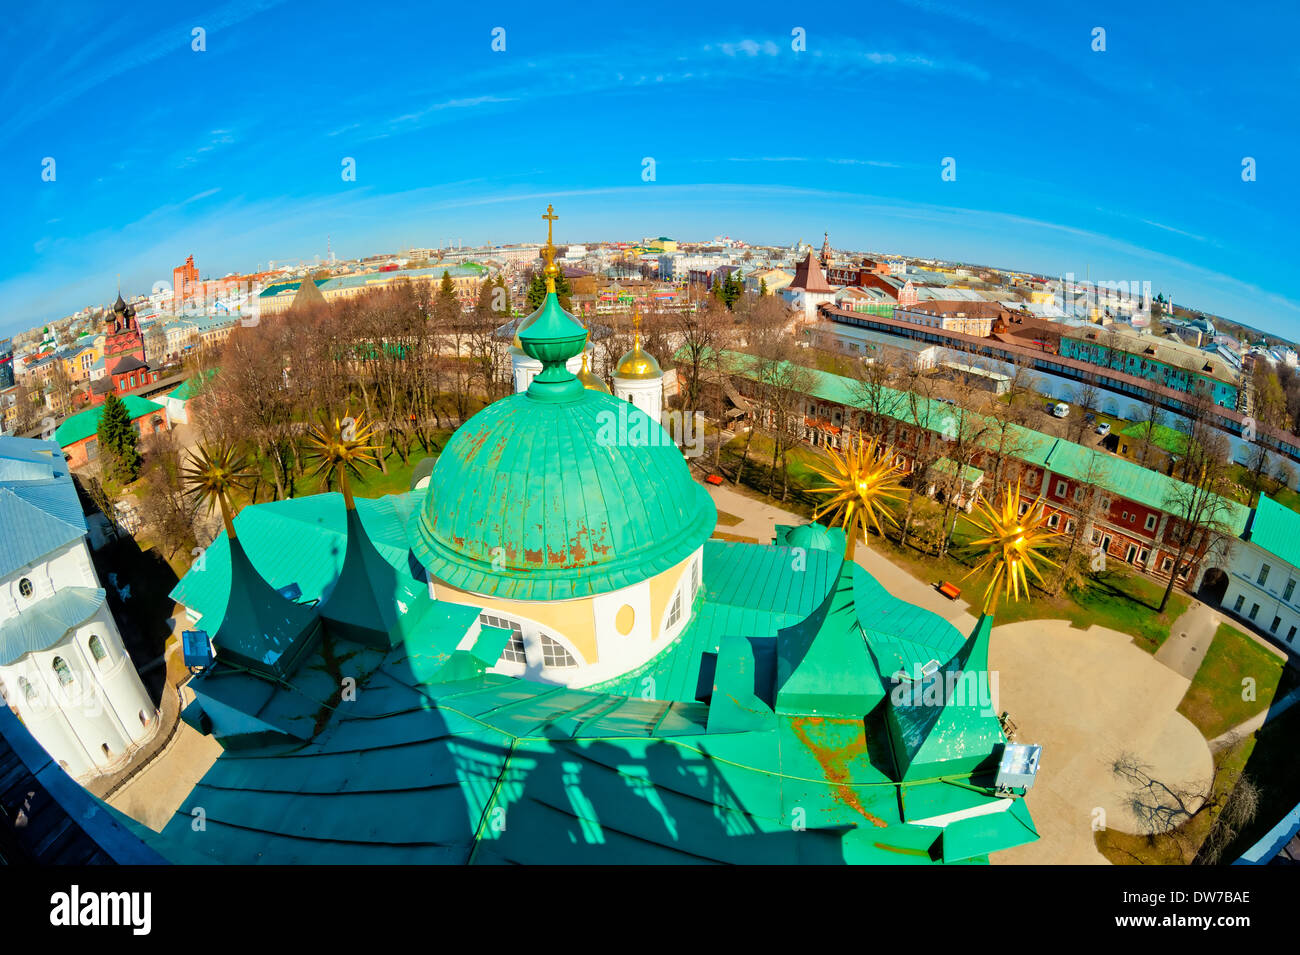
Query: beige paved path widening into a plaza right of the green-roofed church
(1085, 696)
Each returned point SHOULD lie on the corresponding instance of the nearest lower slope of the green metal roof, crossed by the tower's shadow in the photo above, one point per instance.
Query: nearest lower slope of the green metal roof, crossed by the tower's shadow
(504, 771)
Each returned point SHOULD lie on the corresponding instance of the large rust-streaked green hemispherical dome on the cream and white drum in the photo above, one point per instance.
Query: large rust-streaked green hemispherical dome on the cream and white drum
(549, 500)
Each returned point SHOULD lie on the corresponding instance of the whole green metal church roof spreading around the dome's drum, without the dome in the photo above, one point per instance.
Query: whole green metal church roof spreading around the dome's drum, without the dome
(792, 753)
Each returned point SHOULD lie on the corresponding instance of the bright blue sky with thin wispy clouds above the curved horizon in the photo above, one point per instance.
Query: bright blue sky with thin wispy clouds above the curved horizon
(1124, 164)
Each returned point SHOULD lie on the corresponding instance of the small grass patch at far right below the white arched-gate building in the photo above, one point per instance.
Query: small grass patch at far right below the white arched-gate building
(1215, 701)
